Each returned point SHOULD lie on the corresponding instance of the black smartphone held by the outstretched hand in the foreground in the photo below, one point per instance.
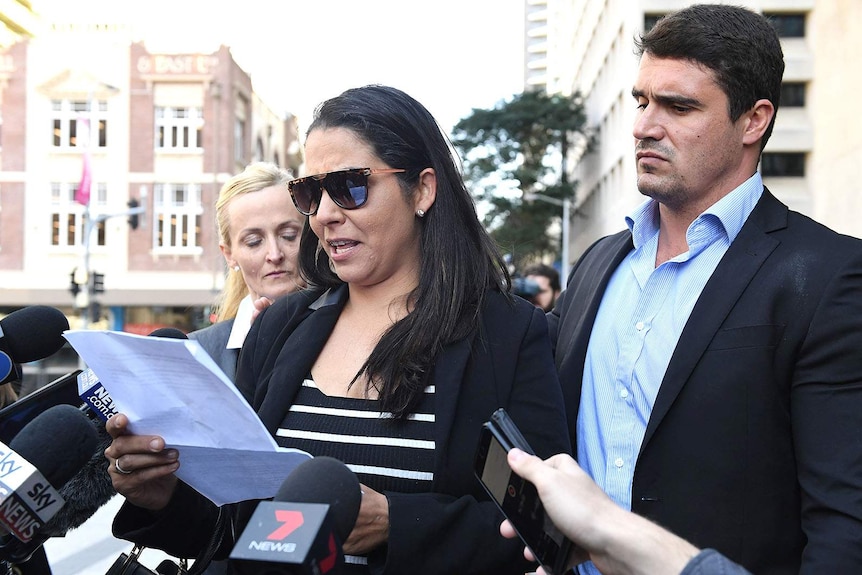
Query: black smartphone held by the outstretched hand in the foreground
(517, 498)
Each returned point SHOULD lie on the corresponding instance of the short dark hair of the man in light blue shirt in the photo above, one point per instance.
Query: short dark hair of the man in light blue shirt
(740, 46)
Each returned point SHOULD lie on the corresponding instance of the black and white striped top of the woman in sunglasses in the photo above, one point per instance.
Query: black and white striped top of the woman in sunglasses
(386, 454)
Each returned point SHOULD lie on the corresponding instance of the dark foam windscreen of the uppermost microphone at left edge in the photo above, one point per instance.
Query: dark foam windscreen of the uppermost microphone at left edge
(34, 332)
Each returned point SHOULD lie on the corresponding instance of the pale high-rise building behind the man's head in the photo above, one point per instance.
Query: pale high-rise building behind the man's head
(810, 160)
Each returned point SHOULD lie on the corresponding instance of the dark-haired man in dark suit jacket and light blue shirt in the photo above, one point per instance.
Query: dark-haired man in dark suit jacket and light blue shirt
(711, 354)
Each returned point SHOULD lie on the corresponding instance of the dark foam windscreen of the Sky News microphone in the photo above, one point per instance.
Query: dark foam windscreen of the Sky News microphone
(58, 442)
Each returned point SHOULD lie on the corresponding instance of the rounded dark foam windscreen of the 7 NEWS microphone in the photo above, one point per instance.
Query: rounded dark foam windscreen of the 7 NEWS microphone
(325, 480)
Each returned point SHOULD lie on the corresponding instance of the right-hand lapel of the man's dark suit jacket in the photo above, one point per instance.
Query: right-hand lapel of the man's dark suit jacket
(745, 256)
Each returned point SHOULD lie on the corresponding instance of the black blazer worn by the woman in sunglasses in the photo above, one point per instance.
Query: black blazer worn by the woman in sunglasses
(506, 362)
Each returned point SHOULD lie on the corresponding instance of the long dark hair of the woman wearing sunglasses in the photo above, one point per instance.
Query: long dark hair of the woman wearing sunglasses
(460, 261)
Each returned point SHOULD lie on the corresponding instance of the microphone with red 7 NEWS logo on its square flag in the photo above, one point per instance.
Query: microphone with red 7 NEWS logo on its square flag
(301, 530)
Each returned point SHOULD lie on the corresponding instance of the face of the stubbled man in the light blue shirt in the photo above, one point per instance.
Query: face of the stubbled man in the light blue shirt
(688, 152)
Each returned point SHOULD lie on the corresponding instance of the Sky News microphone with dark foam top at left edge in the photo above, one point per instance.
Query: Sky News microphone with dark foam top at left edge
(45, 455)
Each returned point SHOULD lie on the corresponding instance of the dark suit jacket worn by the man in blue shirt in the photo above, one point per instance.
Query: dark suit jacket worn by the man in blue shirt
(754, 445)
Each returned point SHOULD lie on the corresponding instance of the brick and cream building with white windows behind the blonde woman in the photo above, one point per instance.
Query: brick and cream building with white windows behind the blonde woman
(164, 130)
